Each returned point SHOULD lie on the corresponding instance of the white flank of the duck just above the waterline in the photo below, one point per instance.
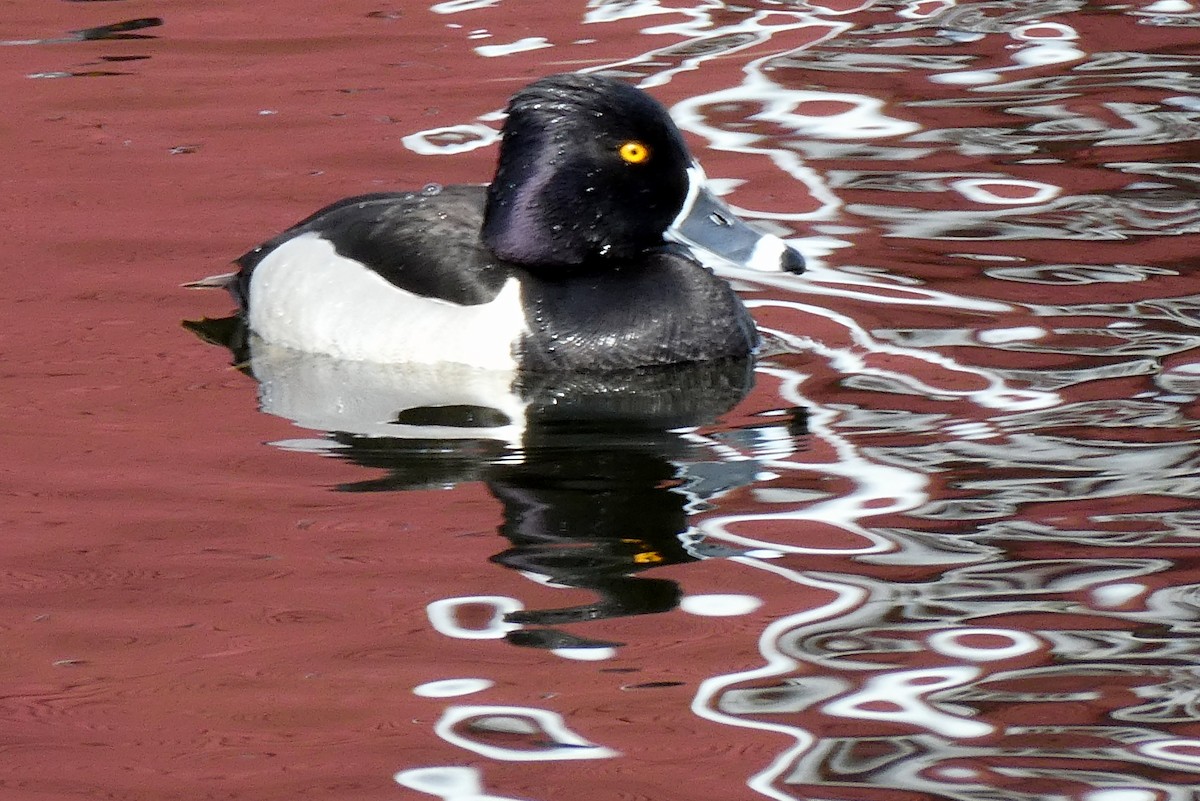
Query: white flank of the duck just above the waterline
(305, 296)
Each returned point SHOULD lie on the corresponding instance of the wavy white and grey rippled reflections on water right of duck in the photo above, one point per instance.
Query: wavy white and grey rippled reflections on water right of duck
(1028, 629)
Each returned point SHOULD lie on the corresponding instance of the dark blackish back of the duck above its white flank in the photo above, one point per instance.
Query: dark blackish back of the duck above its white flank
(423, 243)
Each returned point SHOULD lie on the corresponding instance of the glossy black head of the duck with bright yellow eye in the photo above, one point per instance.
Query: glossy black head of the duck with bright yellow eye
(590, 168)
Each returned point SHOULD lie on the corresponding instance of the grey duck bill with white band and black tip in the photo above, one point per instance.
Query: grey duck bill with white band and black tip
(706, 224)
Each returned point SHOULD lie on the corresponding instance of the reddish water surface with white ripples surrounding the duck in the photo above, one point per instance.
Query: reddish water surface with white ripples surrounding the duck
(967, 571)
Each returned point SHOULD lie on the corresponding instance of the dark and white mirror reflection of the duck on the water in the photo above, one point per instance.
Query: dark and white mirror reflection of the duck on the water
(596, 472)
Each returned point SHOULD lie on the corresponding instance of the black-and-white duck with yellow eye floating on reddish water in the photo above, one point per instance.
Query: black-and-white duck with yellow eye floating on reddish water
(586, 252)
